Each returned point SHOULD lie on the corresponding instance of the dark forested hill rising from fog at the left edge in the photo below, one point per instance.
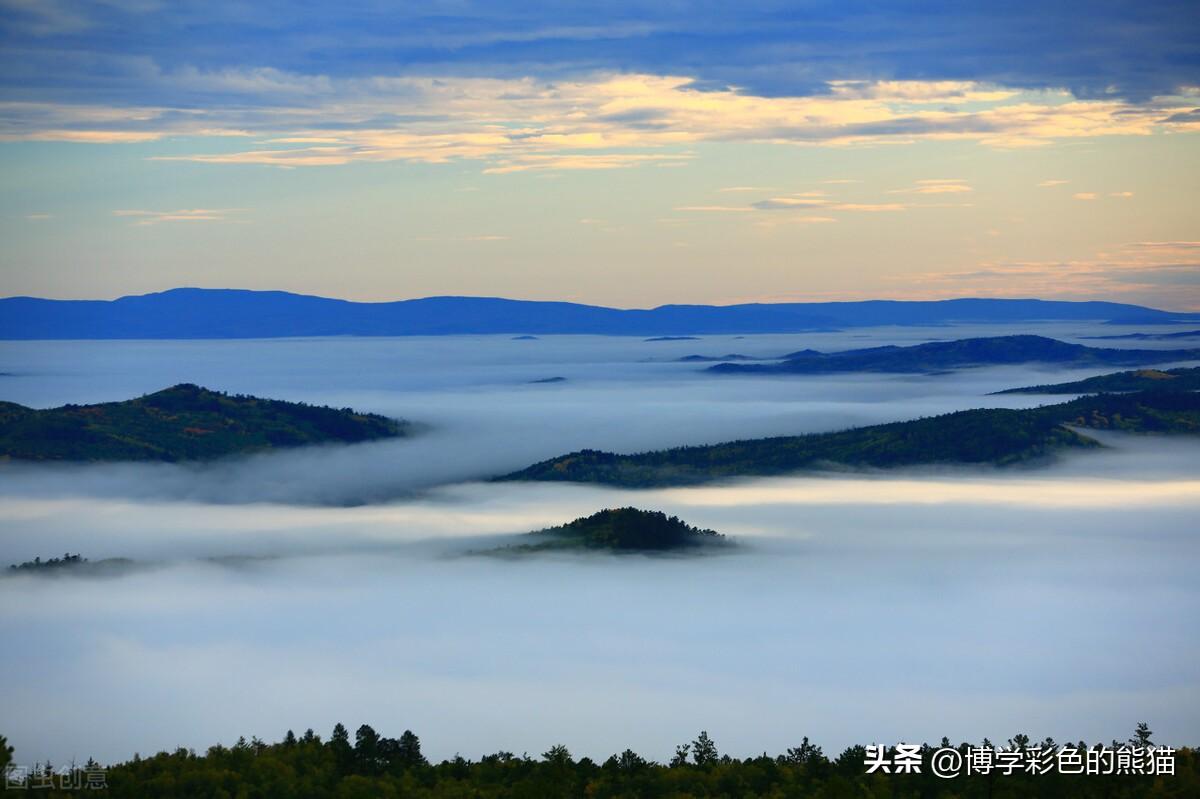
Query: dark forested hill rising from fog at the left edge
(179, 424)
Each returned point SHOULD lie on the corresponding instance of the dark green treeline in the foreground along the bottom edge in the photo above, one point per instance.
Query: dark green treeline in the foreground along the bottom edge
(373, 766)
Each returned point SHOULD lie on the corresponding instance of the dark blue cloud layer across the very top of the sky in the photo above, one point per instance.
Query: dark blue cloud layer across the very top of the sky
(75, 49)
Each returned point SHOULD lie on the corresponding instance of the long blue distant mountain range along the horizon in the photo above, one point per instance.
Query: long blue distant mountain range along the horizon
(236, 314)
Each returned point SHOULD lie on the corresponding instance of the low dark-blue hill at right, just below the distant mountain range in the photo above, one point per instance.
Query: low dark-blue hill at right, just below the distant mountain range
(940, 356)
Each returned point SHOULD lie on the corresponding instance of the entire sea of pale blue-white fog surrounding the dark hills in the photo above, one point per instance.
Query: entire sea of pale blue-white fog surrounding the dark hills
(892, 608)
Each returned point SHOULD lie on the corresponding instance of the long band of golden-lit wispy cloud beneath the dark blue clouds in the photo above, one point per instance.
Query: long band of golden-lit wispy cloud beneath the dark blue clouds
(601, 123)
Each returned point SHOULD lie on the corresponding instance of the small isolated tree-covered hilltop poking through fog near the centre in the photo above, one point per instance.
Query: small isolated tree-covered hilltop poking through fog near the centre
(622, 530)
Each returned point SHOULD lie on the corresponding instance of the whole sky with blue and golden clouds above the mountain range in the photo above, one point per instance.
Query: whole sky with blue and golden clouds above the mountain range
(626, 154)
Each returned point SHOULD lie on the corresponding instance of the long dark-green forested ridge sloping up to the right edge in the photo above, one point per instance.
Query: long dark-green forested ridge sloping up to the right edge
(999, 437)
